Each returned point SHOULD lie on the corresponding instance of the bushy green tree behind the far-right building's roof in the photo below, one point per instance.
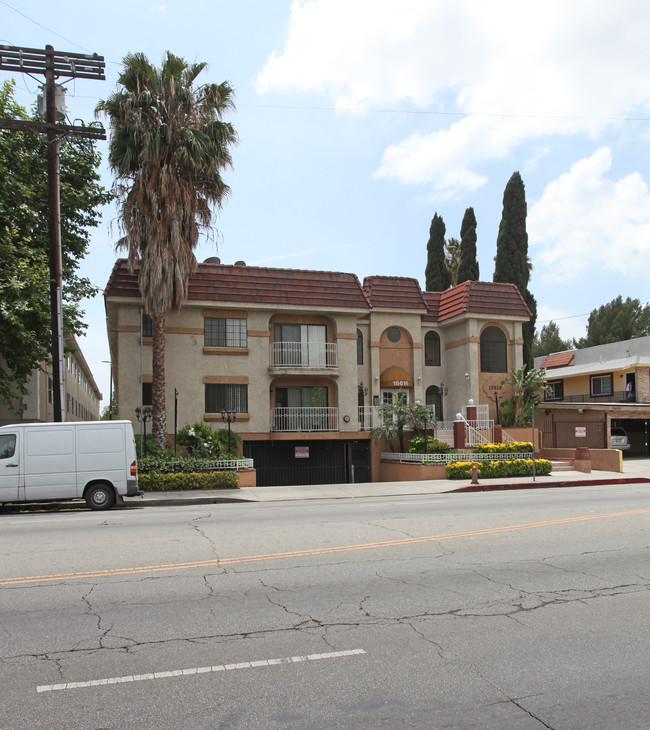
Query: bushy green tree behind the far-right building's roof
(616, 321)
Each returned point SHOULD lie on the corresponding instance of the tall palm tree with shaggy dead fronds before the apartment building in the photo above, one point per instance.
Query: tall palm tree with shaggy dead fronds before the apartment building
(168, 148)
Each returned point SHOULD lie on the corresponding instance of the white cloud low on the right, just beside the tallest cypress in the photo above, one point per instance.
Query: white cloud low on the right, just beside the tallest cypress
(586, 220)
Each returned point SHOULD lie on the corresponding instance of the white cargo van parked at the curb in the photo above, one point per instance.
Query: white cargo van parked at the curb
(91, 460)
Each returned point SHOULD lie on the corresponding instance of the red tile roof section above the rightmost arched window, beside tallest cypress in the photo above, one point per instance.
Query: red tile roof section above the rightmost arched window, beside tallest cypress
(482, 297)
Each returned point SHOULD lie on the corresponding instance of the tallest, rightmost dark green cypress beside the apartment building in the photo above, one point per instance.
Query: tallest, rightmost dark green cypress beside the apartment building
(511, 262)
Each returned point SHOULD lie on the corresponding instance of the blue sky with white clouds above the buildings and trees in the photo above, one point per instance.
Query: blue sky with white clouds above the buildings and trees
(360, 119)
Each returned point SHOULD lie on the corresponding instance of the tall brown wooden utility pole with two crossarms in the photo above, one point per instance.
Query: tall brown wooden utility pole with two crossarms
(53, 65)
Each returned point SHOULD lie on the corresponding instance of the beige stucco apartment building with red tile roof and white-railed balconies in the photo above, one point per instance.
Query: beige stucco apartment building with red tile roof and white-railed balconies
(304, 358)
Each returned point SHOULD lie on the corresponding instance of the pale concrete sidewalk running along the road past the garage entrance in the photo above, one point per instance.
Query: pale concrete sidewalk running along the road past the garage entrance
(635, 471)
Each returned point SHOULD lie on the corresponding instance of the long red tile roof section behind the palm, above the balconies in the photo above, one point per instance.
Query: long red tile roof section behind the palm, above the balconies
(253, 284)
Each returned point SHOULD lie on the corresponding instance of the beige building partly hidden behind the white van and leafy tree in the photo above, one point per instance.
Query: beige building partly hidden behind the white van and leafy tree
(82, 397)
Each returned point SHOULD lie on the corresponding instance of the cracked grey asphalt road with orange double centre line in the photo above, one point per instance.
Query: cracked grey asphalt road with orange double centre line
(514, 609)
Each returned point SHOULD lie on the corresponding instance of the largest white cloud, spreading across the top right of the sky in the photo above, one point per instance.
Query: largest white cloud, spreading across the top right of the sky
(540, 68)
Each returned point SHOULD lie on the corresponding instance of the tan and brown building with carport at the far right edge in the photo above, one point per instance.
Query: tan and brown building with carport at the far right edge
(595, 389)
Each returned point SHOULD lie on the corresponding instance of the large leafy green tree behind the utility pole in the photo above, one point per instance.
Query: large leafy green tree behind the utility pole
(25, 324)
